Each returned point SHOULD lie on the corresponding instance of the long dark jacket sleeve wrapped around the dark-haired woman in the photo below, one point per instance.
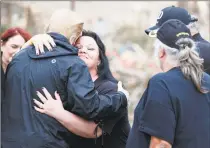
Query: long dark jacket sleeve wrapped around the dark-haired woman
(85, 100)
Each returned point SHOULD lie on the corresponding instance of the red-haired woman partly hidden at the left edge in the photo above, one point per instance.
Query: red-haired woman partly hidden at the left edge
(11, 41)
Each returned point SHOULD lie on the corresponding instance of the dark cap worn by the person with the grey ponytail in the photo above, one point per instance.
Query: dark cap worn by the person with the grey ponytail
(171, 31)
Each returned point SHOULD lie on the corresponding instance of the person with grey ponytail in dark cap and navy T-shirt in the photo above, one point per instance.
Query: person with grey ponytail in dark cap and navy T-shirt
(174, 109)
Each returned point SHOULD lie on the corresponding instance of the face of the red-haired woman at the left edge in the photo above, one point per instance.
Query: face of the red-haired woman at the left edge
(11, 46)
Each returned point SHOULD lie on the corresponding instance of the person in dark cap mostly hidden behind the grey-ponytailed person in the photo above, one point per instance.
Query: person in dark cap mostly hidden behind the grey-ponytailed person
(183, 15)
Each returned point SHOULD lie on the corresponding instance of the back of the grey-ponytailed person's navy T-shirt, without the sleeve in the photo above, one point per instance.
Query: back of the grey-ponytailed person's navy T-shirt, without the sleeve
(191, 109)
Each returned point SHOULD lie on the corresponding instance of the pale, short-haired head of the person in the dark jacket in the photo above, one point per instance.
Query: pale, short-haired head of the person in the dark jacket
(67, 23)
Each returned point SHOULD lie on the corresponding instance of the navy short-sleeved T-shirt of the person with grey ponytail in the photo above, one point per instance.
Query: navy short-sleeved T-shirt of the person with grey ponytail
(172, 109)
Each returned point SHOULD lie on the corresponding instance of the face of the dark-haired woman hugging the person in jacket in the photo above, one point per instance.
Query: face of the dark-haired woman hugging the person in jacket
(88, 51)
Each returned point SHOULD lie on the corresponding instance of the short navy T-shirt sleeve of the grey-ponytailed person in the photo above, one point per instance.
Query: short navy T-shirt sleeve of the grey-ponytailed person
(158, 118)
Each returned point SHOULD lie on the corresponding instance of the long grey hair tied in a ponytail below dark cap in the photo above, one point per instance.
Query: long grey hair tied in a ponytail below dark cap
(187, 58)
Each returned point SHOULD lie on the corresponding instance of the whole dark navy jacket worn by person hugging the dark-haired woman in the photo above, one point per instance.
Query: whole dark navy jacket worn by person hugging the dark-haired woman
(60, 70)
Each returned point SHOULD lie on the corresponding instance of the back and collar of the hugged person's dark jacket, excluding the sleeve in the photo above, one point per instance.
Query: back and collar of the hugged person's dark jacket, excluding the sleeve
(26, 74)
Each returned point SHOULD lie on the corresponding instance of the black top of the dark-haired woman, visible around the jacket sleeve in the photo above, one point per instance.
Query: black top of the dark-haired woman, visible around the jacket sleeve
(115, 130)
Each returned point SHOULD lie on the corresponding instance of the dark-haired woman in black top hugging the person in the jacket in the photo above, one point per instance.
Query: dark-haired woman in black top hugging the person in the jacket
(112, 132)
